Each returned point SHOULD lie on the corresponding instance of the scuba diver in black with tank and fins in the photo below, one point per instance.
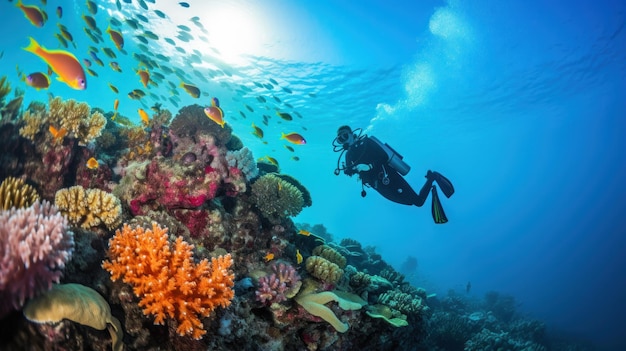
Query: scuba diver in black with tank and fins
(382, 168)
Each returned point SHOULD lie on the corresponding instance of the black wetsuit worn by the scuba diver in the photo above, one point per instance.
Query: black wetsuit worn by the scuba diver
(380, 176)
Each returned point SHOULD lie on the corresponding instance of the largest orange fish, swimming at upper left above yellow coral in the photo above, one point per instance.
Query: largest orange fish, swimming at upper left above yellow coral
(63, 63)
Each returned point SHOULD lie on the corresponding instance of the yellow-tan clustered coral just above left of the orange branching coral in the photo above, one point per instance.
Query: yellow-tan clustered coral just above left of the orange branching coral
(89, 208)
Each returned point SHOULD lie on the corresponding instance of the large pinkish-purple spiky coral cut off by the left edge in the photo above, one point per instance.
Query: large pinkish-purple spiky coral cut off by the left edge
(34, 246)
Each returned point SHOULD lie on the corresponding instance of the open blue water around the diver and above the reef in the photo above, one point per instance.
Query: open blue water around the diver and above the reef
(521, 104)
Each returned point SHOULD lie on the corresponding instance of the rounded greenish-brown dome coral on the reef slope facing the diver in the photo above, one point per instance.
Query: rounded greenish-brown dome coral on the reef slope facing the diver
(276, 198)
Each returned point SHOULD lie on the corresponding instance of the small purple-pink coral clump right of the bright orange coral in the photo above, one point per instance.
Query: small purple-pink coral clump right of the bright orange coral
(275, 287)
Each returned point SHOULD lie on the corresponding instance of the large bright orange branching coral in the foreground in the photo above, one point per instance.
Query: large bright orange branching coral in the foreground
(166, 279)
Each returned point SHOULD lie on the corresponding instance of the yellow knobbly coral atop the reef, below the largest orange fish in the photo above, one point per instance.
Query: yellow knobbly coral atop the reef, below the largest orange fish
(75, 118)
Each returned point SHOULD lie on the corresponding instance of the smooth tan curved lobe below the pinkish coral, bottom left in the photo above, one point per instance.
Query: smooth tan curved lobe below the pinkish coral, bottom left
(79, 304)
